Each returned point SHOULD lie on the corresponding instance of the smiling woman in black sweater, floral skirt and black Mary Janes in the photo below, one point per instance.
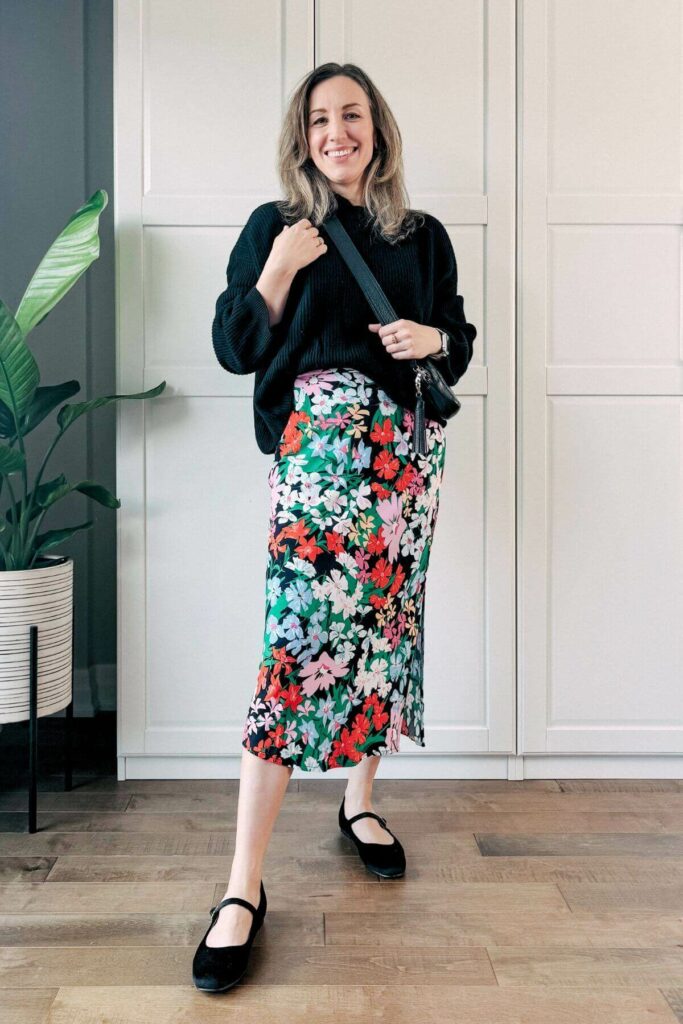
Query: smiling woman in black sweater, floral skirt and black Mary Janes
(354, 507)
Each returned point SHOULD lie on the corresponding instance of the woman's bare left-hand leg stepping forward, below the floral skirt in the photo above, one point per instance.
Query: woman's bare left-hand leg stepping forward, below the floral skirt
(263, 786)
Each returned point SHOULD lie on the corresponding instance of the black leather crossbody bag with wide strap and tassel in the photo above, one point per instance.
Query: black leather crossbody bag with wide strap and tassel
(434, 396)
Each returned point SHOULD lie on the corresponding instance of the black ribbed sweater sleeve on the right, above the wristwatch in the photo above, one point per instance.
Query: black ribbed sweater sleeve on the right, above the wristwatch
(448, 310)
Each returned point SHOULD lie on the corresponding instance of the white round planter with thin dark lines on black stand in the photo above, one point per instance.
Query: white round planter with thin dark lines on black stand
(45, 598)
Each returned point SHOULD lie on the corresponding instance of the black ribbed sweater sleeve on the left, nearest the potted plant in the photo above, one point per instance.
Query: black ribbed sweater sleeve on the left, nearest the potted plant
(243, 338)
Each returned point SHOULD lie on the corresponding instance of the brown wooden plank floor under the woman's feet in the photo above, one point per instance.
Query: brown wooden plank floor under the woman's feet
(551, 902)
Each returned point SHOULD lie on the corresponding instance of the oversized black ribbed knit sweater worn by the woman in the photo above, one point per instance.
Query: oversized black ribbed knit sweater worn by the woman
(326, 318)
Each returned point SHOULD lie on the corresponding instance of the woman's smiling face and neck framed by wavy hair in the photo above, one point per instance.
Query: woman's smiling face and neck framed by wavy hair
(339, 119)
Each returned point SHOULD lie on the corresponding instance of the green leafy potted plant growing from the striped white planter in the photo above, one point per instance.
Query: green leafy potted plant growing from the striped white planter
(24, 404)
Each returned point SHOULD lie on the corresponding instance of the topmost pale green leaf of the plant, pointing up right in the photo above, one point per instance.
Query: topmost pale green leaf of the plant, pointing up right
(70, 255)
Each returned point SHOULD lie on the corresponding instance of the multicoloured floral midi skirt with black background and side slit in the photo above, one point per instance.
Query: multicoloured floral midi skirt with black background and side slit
(353, 517)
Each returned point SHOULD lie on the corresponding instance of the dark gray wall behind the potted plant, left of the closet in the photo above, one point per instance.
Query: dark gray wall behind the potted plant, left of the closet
(56, 151)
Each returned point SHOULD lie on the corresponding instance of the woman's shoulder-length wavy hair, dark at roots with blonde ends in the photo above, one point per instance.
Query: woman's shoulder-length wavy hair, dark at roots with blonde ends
(307, 189)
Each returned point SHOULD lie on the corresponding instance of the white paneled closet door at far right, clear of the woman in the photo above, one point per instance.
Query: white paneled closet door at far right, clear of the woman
(602, 382)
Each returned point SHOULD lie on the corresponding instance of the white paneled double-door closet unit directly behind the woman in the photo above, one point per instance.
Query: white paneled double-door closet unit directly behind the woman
(200, 93)
